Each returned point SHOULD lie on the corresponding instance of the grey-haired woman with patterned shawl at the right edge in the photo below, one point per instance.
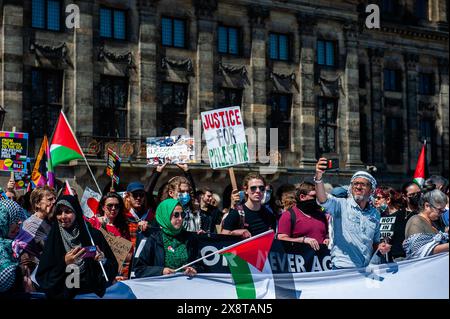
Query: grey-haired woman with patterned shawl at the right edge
(422, 238)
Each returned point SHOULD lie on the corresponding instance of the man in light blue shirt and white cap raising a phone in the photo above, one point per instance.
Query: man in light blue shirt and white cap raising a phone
(356, 224)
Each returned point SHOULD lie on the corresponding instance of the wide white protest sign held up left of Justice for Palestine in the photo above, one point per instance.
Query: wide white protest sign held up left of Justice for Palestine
(170, 149)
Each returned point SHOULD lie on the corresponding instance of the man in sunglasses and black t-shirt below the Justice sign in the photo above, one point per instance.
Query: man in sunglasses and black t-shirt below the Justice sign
(252, 218)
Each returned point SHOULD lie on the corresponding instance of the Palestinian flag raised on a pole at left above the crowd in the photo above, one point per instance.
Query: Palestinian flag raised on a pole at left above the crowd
(64, 146)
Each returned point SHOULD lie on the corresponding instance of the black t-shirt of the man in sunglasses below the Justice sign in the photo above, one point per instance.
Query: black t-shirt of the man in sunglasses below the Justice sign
(256, 222)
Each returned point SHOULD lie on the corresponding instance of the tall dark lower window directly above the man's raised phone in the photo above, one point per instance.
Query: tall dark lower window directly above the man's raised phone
(327, 125)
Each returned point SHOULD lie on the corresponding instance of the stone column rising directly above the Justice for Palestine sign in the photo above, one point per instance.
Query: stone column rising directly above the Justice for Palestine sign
(206, 26)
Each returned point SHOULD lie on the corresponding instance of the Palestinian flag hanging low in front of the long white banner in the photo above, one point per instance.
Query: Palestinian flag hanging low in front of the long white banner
(247, 261)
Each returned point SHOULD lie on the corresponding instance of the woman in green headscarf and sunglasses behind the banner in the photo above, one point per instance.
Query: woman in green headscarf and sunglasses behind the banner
(169, 247)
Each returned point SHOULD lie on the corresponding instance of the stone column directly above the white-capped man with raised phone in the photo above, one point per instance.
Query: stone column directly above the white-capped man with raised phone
(351, 152)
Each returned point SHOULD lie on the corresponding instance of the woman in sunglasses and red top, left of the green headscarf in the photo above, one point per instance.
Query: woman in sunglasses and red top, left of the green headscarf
(111, 217)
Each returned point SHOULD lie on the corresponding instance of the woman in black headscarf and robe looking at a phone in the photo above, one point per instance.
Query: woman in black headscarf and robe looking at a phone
(66, 254)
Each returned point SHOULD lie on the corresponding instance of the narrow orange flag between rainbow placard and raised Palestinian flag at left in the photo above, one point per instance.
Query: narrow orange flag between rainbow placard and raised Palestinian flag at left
(42, 173)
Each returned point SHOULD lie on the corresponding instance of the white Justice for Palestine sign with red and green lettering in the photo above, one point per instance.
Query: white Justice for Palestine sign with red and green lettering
(225, 137)
